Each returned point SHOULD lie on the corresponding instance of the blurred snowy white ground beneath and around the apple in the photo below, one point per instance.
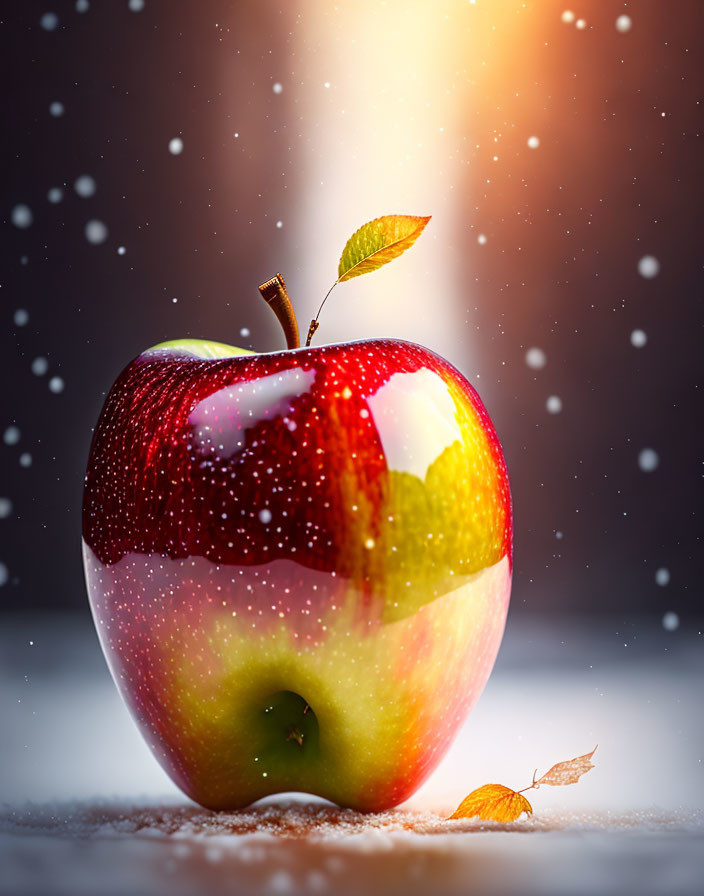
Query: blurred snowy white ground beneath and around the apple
(86, 809)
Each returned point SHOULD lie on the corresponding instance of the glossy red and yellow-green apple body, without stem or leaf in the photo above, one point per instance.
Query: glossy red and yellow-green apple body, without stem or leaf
(299, 564)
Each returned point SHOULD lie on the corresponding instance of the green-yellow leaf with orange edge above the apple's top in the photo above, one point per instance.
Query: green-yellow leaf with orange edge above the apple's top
(378, 242)
